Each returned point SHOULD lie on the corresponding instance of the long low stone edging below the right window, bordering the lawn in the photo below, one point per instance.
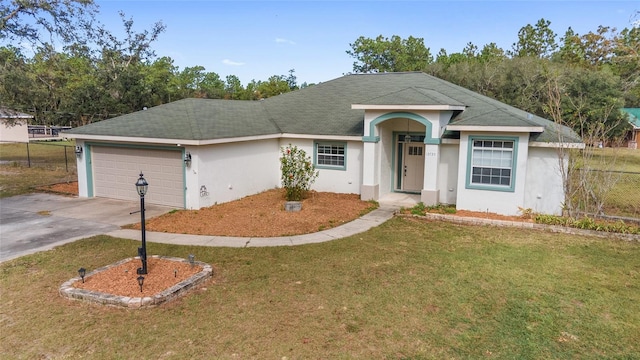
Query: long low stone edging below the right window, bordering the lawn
(524, 225)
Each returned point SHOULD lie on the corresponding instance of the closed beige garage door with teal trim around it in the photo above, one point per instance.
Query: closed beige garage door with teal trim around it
(116, 170)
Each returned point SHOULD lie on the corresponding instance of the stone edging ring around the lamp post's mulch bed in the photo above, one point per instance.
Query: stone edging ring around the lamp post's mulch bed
(67, 290)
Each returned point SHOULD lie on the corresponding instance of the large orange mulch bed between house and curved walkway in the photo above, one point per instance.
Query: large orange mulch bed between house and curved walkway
(263, 215)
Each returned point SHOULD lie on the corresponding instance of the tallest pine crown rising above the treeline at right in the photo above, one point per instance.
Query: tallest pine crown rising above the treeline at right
(538, 41)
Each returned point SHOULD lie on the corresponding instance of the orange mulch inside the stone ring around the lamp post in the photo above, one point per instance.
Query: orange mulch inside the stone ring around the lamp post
(122, 279)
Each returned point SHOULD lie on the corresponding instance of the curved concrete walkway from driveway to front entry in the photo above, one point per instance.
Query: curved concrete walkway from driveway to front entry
(362, 224)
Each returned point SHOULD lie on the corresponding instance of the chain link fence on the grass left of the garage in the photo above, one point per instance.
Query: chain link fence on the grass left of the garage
(58, 155)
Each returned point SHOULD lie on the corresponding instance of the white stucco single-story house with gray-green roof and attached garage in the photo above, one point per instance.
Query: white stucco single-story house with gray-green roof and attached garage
(370, 134)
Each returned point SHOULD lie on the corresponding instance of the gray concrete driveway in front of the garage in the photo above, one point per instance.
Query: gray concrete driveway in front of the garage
(37, 222)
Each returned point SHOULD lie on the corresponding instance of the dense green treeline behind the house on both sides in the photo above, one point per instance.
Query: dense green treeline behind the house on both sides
(582, 78)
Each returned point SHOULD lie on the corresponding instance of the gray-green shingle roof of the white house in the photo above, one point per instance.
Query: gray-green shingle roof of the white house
(323, 109)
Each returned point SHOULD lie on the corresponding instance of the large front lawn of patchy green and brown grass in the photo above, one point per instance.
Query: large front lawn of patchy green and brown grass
(404, 290)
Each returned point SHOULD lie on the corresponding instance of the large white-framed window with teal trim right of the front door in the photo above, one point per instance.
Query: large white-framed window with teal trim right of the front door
(492, 163)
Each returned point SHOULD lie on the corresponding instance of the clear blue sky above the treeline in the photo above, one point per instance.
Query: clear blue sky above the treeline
(257, 39)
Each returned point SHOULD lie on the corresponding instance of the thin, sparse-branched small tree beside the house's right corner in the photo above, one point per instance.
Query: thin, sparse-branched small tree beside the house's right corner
(587, 176)
